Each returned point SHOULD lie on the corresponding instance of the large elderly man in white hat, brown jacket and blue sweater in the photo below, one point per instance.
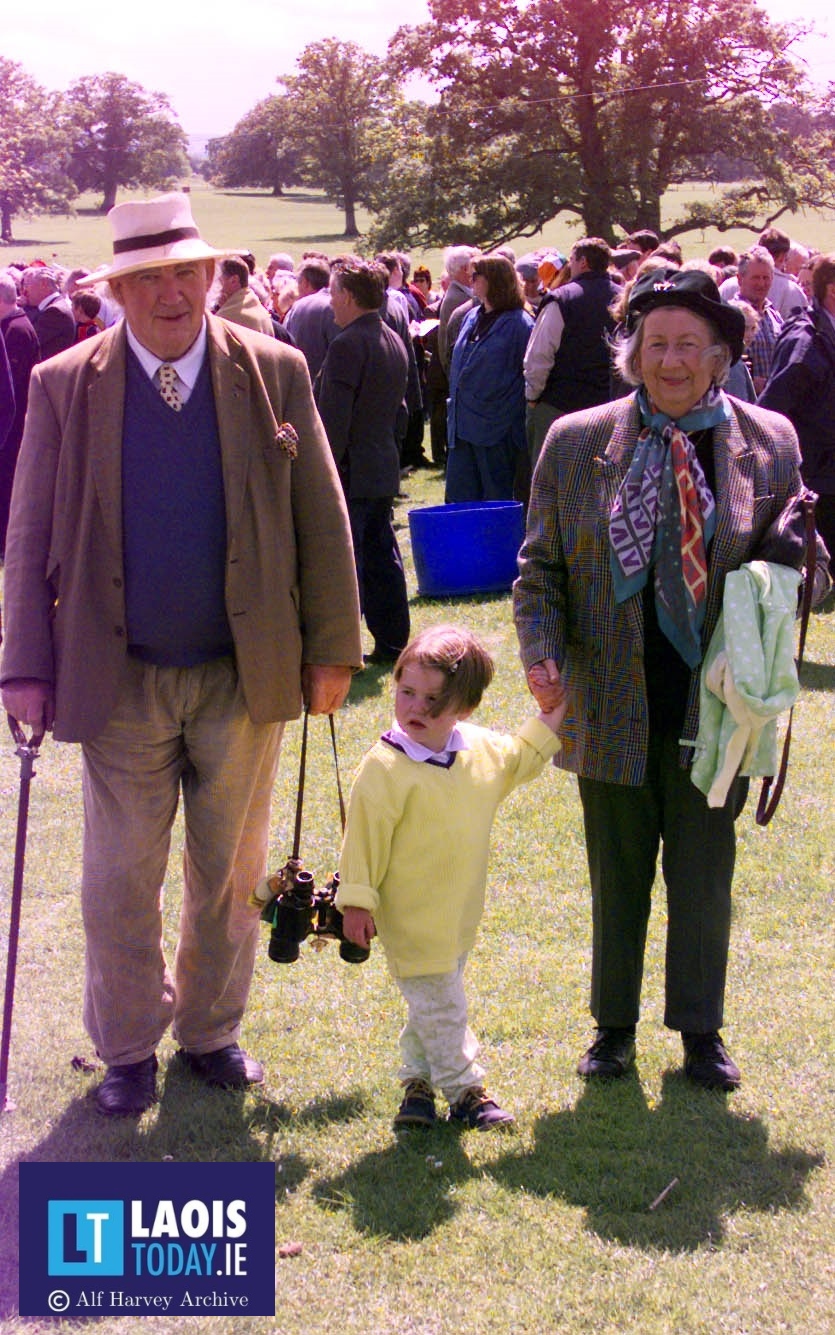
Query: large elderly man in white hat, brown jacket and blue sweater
(180, 577)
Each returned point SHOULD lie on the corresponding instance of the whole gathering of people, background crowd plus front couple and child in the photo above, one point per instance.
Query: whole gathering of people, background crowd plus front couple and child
(206, 459)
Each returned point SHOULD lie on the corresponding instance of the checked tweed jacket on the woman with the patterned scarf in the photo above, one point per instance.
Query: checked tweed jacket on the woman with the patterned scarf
(563, 599)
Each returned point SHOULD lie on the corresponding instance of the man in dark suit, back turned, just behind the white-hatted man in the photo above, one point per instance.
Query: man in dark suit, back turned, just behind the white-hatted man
(361, 396)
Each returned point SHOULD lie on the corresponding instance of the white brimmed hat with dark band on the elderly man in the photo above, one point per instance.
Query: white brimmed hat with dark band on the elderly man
(153, 233)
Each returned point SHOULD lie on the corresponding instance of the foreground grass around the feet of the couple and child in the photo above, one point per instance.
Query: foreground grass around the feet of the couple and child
(547, 1232)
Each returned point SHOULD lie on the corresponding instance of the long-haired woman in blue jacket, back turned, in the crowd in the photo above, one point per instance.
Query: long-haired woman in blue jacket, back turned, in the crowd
(486, 423)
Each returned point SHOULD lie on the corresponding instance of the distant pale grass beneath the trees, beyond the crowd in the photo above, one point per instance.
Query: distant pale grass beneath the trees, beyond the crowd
(301, 221)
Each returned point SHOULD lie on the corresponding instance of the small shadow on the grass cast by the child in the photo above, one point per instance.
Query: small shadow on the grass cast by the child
(403, 1193)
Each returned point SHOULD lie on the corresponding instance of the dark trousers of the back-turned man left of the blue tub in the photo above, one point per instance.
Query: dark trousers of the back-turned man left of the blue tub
(380, 573)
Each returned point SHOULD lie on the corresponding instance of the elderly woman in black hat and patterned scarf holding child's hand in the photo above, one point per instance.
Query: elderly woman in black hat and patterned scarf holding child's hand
(639, 511)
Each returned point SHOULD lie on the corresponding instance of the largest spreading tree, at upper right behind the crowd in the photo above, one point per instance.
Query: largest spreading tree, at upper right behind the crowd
(597, 109)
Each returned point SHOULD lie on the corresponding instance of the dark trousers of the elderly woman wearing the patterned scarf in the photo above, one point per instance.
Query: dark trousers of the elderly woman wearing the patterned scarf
(625, 828)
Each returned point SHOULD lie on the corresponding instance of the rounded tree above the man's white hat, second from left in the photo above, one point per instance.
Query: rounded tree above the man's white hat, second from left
(122, 136)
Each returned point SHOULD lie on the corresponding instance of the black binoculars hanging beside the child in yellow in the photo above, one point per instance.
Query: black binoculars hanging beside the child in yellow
(296, 908)
